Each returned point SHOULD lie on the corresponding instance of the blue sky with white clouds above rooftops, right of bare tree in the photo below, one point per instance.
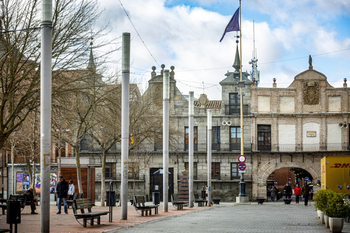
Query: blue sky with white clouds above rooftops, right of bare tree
(186, 34)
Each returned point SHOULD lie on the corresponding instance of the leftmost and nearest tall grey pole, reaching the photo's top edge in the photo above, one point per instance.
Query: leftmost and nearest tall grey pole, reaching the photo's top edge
(45, 109)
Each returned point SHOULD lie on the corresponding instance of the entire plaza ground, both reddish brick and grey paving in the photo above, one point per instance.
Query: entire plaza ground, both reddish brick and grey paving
(226, 217)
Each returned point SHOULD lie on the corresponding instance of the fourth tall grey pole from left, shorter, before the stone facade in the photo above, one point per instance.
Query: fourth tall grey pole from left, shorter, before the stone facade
(190, 147)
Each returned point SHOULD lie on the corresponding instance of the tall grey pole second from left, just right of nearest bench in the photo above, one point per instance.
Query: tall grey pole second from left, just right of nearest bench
(125, 123)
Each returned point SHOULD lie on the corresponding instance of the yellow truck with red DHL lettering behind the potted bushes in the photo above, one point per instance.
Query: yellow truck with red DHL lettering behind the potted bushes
(335, 173)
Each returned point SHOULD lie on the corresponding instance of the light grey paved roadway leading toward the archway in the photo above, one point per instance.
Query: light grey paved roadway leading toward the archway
(269, 217)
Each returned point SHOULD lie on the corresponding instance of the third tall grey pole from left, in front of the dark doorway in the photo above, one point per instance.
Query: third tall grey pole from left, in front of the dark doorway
(165, 138)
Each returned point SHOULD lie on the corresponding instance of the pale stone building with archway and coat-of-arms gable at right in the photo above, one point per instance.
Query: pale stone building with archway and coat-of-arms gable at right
(297, 126)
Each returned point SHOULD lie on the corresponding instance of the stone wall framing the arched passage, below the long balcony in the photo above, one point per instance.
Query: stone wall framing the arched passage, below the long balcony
(264, 165)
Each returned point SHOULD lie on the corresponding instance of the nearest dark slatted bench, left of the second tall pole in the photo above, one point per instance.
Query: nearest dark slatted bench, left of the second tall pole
(82, 204)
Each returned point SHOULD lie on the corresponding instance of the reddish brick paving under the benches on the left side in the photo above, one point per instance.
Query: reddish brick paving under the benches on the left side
(63, 223)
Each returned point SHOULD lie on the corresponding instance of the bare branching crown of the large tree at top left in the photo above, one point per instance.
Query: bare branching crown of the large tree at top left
(20, 53)
